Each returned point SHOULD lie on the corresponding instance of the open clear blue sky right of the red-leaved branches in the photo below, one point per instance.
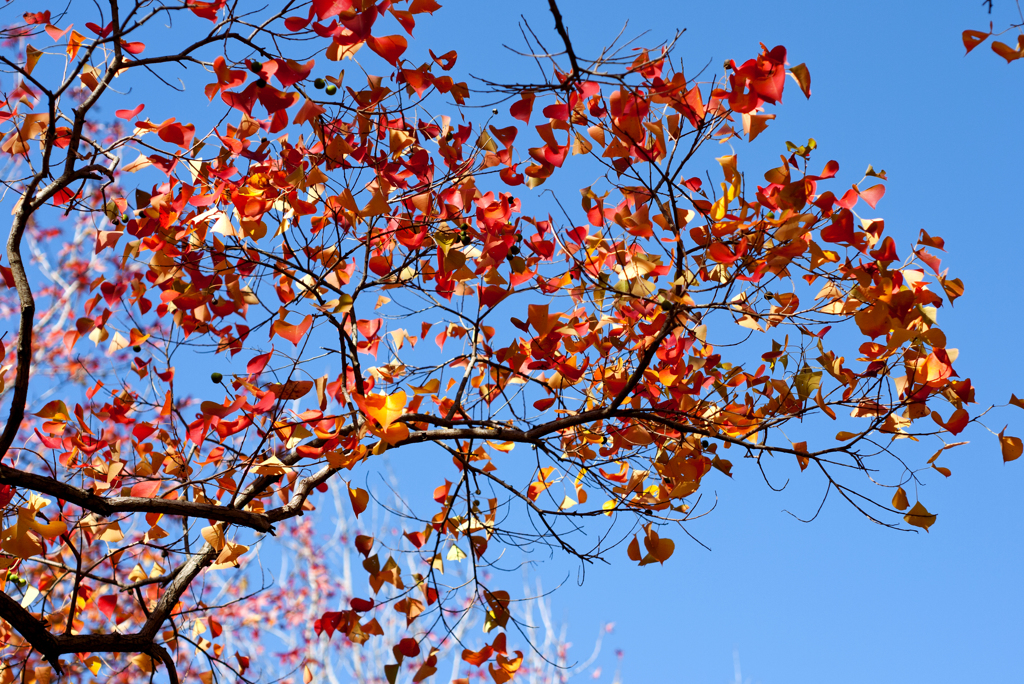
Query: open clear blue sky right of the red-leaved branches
(840, 601)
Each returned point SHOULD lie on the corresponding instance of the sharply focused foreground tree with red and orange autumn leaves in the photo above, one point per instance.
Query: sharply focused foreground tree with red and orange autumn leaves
(387, 223)
